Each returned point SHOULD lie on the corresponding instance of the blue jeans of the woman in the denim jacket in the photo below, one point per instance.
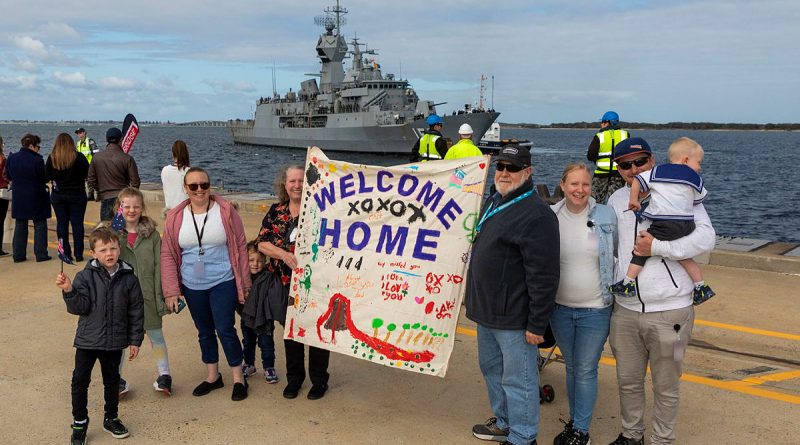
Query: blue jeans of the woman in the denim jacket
(581, 334)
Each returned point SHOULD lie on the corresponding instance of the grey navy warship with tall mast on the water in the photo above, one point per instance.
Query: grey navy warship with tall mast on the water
(359, 110)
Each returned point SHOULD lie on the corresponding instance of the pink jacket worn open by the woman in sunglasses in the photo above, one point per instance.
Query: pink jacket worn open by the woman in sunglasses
(171, 250)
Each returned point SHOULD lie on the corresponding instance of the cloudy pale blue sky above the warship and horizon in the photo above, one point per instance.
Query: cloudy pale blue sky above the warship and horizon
(552, 61)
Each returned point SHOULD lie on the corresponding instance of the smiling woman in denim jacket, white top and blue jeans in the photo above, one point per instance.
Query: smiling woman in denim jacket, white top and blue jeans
(582, 315)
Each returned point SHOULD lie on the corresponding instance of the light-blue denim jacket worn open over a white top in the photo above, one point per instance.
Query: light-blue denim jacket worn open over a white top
(604, 224)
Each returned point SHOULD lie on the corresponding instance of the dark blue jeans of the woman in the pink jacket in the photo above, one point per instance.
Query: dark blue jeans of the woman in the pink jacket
(213, 314)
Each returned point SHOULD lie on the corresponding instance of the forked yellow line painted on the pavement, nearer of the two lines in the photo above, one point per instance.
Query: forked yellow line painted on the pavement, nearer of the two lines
(745, 386)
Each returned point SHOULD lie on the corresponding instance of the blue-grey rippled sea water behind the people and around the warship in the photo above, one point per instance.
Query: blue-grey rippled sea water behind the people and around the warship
(751, 176)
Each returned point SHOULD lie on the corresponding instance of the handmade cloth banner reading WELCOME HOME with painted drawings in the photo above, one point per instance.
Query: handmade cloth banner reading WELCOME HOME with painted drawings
(382, 256)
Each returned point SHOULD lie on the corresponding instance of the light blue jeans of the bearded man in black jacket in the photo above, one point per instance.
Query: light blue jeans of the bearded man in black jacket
(509, 366)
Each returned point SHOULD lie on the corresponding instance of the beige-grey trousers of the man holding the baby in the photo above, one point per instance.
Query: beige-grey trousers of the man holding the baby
(638, 339)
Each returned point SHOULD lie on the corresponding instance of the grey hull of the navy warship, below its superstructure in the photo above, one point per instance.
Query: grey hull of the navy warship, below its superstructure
(364, 139)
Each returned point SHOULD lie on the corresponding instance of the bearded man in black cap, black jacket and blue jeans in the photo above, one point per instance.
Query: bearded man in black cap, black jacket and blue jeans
(511, 289)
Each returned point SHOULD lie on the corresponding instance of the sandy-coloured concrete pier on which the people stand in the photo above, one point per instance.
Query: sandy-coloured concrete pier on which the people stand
(741, 374)
